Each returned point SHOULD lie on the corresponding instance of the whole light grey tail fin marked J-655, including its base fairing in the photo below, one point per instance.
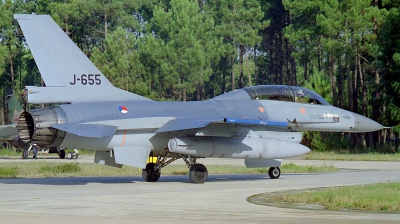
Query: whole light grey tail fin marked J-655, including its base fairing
(62, 64)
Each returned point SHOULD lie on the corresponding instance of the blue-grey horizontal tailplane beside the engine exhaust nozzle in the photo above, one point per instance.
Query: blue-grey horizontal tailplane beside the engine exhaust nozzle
(87, 130)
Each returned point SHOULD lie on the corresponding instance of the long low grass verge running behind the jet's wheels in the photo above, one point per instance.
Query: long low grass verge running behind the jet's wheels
(57, 169)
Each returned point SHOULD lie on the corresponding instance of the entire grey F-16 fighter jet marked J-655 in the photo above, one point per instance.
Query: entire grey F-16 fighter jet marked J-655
(257, 124)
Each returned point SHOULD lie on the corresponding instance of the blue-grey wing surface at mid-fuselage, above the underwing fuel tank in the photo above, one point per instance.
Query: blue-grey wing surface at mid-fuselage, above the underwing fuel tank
(185, 124)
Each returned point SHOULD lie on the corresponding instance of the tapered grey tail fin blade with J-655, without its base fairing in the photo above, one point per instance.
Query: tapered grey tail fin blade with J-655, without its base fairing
(60, 61)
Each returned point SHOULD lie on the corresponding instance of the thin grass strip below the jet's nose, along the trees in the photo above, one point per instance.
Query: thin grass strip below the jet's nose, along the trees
(353, 157)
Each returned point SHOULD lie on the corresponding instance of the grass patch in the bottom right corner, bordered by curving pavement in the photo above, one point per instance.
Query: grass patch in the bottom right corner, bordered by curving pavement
(374, 197)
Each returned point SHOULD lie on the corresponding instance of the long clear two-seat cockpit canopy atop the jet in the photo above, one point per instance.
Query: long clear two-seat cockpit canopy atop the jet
(285, 93)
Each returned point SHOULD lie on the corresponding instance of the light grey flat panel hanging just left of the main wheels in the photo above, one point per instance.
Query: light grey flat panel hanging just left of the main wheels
(132, 156)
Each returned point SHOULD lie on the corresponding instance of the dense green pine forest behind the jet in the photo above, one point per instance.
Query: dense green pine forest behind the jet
(348, 51)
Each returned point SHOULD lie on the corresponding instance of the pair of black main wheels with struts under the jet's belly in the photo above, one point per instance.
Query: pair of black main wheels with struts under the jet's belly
(197, 172)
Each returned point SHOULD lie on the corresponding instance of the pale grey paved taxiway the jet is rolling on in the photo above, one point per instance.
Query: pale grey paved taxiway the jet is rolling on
(174, 199)
